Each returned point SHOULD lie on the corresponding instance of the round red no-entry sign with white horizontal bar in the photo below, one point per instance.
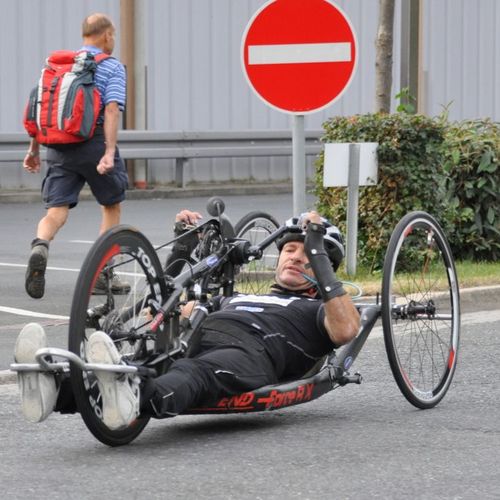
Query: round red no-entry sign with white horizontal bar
(299, 56)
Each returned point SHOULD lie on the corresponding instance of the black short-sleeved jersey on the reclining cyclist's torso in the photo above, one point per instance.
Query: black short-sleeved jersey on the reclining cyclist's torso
(291, 328)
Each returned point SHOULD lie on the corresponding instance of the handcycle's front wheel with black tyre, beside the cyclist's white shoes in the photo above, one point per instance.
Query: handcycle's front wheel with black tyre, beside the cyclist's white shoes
(132, 256)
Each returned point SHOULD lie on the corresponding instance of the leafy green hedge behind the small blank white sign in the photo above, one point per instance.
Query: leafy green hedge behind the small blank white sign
(422, 166)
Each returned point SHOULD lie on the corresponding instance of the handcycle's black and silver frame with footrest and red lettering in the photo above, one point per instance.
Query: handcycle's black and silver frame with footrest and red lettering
(332, 373)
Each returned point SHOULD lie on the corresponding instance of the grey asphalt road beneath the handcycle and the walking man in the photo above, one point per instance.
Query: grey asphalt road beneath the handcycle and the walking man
(359, 442)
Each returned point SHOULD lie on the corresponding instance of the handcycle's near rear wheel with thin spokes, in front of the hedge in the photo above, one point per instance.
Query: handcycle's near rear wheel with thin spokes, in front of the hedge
(420, 309)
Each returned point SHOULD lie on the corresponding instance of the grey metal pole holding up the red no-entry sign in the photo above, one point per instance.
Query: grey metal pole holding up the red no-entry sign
(298, 165)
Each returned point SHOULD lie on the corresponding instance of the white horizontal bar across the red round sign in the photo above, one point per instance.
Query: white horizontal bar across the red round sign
(299, 53)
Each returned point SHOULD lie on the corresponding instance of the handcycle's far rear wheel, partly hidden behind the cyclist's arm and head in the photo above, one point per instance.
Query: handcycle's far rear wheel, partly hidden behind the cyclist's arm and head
(257, 276)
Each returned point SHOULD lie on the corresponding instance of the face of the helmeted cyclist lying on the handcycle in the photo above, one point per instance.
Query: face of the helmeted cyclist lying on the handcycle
(293, 264)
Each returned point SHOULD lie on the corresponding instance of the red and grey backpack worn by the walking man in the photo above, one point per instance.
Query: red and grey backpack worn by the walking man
(63, 108)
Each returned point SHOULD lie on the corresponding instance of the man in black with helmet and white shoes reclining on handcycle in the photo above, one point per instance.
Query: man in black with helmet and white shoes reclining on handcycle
(248, 341)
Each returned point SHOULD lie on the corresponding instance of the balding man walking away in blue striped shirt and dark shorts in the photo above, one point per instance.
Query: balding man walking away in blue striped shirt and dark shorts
(95, 161)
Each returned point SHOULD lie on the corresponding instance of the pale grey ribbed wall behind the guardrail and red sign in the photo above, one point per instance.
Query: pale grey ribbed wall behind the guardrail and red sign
(195, 82)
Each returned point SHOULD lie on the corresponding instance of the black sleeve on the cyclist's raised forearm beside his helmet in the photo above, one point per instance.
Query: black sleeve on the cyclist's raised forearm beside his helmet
(329, 285)
